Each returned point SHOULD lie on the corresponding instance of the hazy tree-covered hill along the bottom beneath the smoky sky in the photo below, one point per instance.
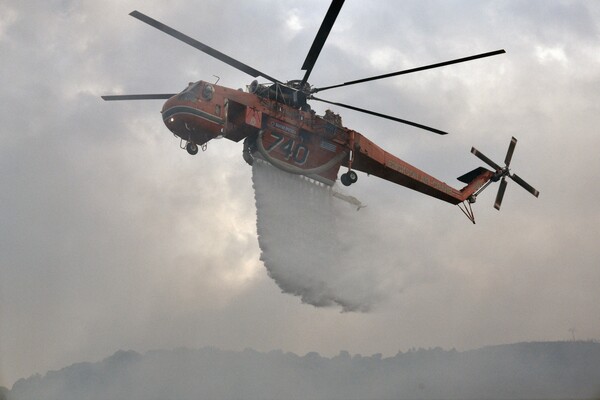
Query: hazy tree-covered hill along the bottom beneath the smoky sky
(549, 370)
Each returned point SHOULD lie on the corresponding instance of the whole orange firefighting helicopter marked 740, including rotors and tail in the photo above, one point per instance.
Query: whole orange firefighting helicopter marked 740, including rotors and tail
(278, 126)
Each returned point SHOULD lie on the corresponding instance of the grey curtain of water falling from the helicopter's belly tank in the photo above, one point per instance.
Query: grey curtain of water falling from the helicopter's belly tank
(316, 245)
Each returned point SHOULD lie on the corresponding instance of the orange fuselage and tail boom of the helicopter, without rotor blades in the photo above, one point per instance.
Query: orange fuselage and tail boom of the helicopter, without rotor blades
(295, 139)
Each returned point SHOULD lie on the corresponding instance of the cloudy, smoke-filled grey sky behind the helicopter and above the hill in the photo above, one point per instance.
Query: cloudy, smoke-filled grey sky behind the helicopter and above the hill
(112, 238)
